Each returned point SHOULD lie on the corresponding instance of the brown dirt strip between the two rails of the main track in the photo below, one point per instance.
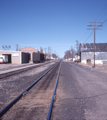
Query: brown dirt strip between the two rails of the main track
(35, 104)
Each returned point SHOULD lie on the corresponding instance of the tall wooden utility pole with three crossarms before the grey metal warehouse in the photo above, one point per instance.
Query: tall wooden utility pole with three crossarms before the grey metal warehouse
(94, 33)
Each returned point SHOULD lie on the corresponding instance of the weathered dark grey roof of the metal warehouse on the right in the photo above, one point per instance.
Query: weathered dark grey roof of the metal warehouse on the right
(89, 47)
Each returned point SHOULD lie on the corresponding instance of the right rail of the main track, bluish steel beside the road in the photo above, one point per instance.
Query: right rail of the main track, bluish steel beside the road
(52, 100)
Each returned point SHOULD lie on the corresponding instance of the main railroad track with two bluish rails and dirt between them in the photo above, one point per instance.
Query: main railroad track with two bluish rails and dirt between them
(47, 80)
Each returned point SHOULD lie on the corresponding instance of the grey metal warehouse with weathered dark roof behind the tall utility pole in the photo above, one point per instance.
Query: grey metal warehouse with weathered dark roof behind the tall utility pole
(86, 52)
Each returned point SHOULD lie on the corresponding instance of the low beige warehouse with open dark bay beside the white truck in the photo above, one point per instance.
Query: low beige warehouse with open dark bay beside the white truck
(16, 56)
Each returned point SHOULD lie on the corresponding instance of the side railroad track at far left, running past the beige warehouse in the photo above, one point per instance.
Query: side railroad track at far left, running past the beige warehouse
(19, 70)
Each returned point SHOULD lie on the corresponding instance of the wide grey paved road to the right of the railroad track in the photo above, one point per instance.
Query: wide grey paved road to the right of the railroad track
(81, 94)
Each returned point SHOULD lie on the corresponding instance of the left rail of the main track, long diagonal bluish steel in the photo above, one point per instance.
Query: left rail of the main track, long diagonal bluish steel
(7, 107)
